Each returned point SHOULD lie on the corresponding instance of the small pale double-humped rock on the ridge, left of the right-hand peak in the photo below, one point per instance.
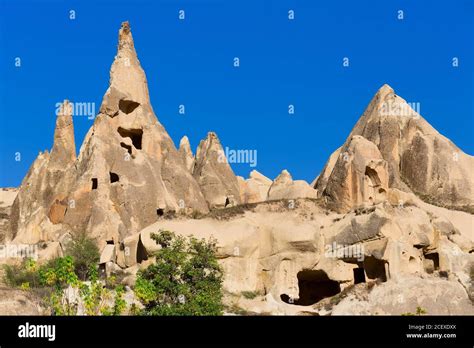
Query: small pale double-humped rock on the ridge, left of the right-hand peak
(284, 187)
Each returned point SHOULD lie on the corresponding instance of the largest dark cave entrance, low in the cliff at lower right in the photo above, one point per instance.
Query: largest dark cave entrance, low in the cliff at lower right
(313, 287)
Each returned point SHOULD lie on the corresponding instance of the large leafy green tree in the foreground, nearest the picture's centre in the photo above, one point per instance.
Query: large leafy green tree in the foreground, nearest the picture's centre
(186, 278)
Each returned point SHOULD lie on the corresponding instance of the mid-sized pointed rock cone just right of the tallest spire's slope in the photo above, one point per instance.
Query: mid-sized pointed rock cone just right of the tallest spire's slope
(214, 175)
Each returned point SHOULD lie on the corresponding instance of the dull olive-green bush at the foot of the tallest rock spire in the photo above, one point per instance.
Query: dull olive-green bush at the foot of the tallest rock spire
(85, 253)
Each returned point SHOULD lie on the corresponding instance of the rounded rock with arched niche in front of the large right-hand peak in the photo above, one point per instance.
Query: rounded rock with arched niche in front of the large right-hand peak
(360, 175)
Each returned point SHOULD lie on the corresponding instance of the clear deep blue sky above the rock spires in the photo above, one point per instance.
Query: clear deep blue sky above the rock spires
(282, 62)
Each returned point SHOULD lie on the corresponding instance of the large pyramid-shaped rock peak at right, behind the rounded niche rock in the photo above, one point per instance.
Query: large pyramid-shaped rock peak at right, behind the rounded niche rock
(419, 159)
